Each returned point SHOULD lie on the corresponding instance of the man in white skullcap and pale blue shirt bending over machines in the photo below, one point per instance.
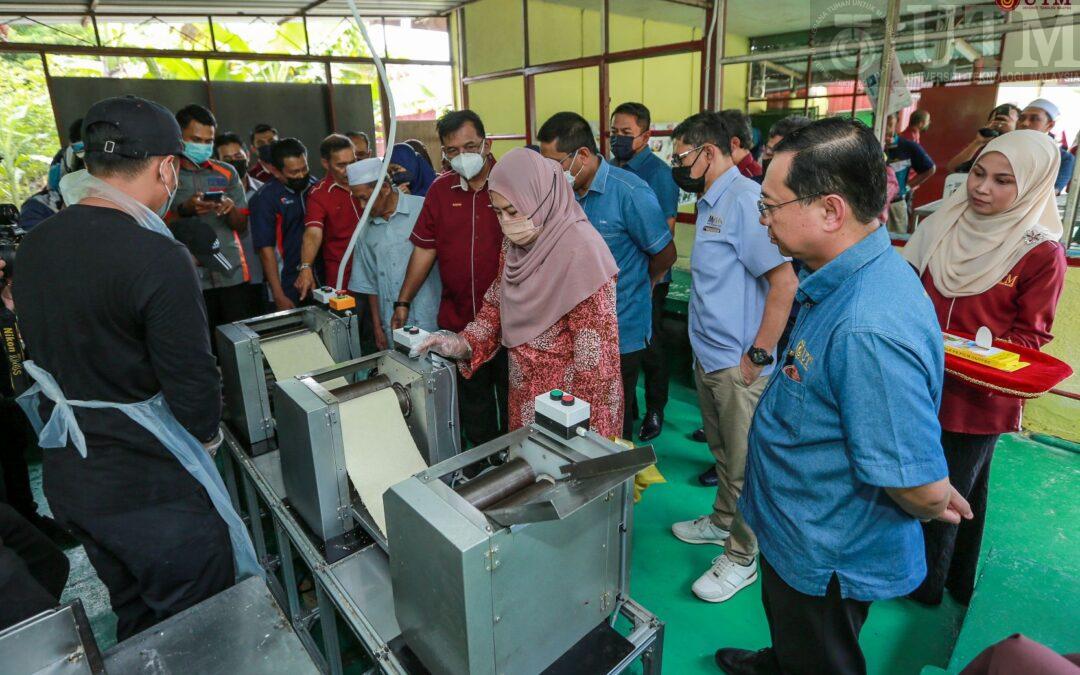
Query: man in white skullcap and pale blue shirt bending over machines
(383, 253)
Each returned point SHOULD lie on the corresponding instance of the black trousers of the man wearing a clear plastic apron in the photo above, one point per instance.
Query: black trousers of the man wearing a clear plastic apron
(157, 560)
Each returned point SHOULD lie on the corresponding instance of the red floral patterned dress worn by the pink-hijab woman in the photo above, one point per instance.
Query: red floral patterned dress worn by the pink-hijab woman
(578, 355)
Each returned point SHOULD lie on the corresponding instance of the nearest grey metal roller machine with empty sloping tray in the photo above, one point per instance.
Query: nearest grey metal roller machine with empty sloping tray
(512, 586)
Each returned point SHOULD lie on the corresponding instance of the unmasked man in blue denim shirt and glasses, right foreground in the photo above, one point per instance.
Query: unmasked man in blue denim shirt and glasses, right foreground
(845, 452)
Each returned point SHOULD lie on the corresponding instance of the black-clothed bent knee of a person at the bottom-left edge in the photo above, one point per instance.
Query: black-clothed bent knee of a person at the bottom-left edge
(33, 571)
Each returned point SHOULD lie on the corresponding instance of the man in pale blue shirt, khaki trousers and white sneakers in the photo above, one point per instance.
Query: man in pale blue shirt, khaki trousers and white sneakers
(740, 299)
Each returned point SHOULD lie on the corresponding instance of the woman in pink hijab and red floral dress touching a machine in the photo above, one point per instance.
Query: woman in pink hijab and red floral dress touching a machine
(552, 304)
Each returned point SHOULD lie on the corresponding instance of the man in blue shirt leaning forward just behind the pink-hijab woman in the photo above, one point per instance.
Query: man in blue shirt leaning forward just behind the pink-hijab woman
(625, 211)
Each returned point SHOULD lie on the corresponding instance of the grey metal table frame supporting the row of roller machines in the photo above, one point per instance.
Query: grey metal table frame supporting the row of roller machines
(354, 590)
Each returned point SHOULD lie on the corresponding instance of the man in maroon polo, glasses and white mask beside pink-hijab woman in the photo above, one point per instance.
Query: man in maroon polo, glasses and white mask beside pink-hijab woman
(458, 228)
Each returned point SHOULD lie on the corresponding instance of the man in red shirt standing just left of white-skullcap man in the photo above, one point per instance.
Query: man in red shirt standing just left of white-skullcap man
(332, 218)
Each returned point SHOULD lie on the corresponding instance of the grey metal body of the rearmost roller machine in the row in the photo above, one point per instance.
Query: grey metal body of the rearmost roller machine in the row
(248, 381)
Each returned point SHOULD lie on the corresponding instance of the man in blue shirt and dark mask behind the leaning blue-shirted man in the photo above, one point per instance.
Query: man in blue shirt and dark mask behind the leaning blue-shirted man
(630, 147)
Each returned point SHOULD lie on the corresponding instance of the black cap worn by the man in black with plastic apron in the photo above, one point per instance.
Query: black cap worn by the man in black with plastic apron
(146, 129)
